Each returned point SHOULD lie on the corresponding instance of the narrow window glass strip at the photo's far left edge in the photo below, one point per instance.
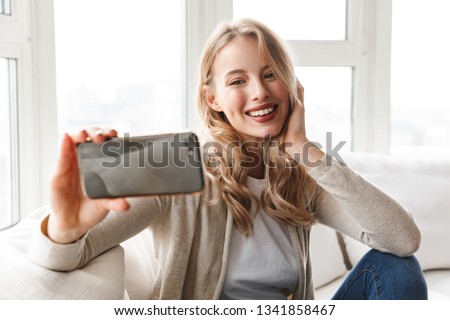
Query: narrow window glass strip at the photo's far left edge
(7, 216)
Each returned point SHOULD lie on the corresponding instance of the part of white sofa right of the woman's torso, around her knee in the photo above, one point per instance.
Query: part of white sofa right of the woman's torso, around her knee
(422, 185)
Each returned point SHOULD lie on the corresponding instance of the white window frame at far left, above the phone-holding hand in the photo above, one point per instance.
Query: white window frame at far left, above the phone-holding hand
(27, 36)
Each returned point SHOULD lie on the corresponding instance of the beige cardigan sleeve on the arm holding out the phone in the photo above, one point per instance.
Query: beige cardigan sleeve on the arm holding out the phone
(114, 229)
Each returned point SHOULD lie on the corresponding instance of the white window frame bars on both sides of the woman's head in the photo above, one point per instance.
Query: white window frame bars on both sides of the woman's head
(366, 50)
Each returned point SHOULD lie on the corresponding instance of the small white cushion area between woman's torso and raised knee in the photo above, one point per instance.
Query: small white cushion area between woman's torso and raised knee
(326, 255)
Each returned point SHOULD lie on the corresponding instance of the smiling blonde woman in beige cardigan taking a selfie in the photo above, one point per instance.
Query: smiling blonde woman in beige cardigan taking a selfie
(247, 235)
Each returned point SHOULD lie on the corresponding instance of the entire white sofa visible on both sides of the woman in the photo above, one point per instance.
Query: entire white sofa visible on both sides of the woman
(420, 184)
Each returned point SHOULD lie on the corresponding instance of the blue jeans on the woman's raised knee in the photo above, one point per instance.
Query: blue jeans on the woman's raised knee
(383, 276)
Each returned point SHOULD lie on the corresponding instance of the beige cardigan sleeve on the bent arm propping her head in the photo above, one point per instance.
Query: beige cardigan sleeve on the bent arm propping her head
(353, 206)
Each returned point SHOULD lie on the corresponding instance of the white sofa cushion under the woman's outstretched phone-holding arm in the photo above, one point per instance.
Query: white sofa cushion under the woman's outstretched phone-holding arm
(102, 278)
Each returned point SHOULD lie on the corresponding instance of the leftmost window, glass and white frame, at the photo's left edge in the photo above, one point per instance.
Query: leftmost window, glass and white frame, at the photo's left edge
(23, 179)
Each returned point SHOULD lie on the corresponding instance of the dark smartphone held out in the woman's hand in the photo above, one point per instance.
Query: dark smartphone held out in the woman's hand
(143, 165)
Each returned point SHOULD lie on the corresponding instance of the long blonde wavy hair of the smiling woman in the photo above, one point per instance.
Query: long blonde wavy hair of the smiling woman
(289, 188)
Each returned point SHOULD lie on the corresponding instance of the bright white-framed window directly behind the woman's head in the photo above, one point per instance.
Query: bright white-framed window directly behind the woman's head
(327, 37)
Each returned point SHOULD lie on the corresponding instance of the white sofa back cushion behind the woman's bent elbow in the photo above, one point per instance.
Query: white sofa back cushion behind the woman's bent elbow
(422, 185)
